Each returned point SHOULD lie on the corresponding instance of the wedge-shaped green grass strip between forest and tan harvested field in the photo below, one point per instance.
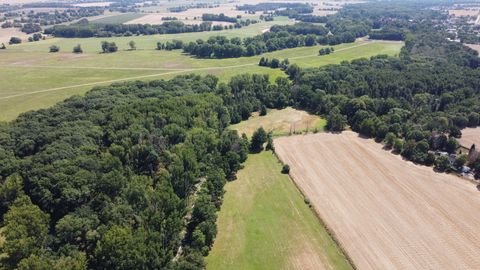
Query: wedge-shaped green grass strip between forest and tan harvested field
(264, 223)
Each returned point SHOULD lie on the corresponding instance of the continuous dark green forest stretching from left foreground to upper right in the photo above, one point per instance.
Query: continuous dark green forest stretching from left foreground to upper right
(131, 175)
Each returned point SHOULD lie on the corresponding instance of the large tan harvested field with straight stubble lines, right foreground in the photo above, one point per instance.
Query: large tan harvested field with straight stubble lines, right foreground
(386, 213)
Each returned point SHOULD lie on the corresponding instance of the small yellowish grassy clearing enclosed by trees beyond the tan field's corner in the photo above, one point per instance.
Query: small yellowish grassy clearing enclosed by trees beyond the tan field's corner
(281, 122)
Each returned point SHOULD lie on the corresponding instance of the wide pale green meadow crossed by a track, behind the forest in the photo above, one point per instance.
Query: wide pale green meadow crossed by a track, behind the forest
(34, 78)
